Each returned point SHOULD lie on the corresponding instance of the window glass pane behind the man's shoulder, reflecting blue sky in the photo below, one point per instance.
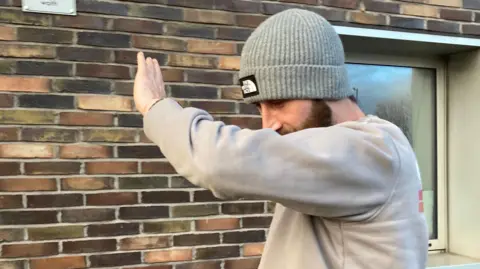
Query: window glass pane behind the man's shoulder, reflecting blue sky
(406, 97)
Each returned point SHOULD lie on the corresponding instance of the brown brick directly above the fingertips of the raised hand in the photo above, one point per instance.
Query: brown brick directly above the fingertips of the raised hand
(158, 43)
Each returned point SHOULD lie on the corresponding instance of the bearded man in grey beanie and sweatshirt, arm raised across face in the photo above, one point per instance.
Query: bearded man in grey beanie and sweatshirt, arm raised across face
(346, 185)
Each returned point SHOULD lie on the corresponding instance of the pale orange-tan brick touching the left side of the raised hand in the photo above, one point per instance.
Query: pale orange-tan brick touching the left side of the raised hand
(105, 102)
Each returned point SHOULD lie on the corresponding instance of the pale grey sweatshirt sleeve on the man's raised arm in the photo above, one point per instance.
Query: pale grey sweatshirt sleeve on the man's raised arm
(340, 171)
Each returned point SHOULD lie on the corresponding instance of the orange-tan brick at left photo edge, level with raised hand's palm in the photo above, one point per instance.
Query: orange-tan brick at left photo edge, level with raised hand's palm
(24, 84)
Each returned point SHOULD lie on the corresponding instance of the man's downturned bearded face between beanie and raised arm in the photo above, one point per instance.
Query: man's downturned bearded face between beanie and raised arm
(287, 116)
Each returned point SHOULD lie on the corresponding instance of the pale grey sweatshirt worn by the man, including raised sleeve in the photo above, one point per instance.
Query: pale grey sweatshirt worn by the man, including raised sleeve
(347, 196)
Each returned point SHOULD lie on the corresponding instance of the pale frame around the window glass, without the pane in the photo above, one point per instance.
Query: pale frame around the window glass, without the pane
(439, 244)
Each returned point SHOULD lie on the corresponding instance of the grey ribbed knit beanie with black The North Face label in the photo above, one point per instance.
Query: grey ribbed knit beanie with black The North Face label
(294, 54)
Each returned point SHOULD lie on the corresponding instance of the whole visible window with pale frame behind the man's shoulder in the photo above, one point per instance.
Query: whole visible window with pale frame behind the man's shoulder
(410, 93)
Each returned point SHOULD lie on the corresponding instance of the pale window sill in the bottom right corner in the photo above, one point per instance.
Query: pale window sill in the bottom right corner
(451, 261)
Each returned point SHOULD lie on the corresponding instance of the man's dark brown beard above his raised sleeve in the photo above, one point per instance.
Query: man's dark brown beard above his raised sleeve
(320, 116)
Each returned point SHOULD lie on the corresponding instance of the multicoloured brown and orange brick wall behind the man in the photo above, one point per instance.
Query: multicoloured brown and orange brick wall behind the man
(81, 186)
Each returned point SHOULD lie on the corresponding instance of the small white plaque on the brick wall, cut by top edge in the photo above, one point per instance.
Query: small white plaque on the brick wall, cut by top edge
(62, 7)
